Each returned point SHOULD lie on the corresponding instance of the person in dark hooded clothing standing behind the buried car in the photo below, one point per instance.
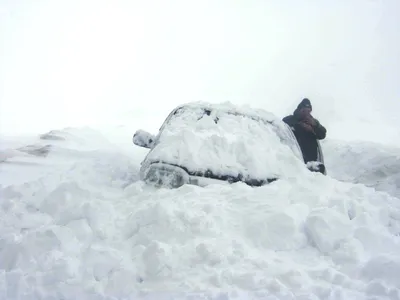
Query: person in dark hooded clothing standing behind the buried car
(307, 130)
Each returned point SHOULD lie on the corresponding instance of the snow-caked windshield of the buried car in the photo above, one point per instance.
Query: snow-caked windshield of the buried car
(227, 142)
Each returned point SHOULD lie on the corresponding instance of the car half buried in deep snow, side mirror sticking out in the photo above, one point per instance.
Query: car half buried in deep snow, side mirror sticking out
(201, 143)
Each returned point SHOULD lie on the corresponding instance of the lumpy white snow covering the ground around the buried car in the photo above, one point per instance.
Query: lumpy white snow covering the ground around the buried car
(76, 223)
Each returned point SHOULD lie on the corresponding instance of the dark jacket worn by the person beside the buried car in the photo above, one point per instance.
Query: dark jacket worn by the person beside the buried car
(307, 140)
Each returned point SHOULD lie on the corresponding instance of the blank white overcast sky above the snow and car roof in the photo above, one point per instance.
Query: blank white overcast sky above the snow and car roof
(69, 63)
